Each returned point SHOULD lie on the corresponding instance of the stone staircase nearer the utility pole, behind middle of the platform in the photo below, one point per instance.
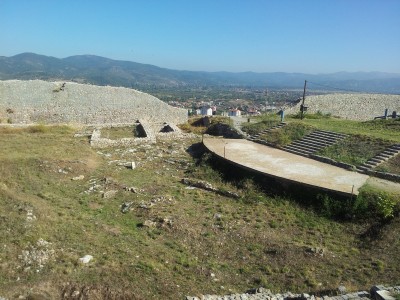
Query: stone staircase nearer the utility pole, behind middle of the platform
(313, 142)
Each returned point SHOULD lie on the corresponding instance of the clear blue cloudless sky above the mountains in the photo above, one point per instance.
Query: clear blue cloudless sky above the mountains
(306, 36)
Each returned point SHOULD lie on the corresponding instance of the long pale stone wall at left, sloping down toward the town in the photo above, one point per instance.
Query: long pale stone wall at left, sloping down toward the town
(34, 101)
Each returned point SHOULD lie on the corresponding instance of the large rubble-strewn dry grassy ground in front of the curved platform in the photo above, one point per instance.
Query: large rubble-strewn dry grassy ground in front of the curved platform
(152, 237)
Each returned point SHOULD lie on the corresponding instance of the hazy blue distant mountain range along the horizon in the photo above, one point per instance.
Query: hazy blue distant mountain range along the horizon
(103, 71)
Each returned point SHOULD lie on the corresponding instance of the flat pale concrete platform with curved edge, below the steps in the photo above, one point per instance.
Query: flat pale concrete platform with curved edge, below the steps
(281, 164)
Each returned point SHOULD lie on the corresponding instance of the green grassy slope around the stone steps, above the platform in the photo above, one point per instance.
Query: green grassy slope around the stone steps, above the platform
(365, 140)
